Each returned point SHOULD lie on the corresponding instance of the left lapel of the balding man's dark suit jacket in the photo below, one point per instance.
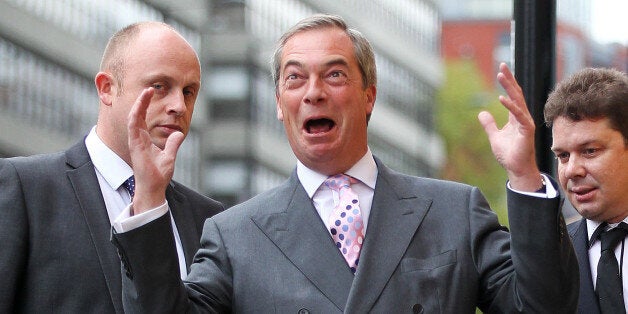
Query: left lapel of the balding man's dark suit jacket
(83, 179)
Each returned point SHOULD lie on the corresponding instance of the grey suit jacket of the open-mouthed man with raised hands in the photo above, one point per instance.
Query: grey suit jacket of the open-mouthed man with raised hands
(431, 247)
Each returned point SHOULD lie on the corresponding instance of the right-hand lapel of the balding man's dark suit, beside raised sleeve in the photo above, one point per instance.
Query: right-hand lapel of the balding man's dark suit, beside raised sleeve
(184, 219)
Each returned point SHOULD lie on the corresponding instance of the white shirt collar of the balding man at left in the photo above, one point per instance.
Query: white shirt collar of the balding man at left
(110, 166)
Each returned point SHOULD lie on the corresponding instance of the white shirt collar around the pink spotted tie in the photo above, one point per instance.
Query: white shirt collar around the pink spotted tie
(364, 170)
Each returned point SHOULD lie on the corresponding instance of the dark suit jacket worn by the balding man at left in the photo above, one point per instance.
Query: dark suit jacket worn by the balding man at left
(56, 254)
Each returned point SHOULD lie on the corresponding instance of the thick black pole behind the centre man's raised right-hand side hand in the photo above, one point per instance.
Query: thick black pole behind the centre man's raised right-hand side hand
(535, 64)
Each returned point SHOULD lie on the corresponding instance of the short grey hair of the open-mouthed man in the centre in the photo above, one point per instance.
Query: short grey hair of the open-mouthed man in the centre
(362, 48)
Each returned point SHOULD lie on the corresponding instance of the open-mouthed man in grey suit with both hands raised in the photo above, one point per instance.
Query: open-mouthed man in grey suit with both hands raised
(424, 245)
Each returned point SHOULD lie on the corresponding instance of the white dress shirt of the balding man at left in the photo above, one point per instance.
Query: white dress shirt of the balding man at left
(111, 172)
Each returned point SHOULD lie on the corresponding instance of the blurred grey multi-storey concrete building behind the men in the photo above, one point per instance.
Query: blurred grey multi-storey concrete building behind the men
(50, 52)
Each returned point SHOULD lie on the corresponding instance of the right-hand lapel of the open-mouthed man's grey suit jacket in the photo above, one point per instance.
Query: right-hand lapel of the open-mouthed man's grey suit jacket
(396, 214)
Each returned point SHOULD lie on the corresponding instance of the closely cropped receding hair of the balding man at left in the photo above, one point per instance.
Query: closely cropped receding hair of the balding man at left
(113, 59)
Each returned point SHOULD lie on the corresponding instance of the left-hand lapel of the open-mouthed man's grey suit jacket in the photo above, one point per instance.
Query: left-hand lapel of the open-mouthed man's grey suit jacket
(301, 236)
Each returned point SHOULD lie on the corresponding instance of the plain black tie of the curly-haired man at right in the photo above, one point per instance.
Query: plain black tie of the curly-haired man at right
(609, 285)
